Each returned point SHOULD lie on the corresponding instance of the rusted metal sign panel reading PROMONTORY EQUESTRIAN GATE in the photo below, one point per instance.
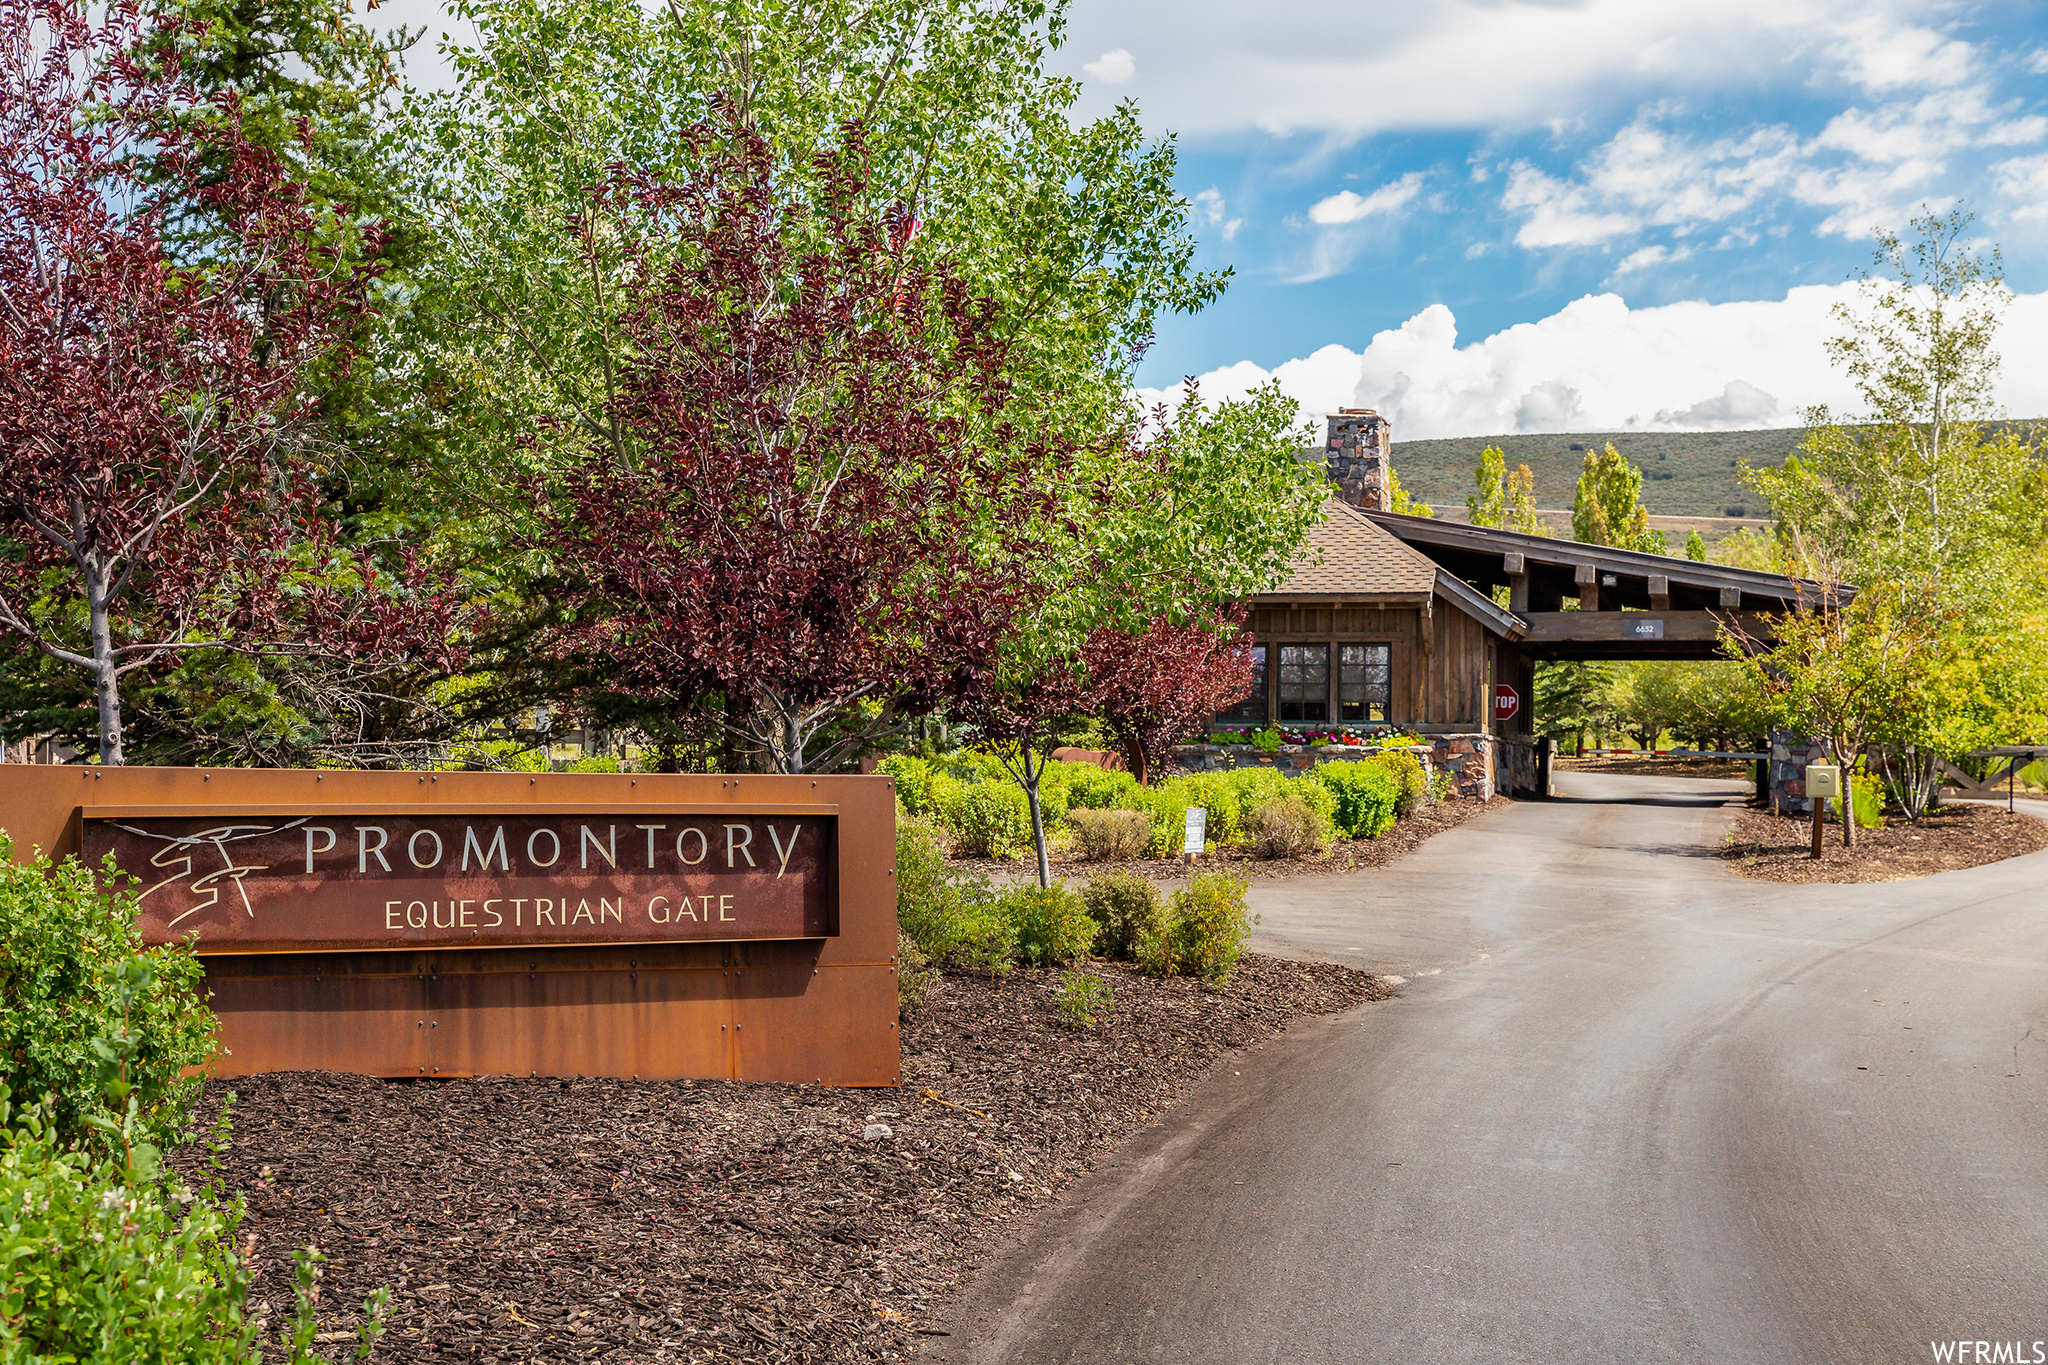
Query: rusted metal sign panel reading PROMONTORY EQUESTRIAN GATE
(390, 877)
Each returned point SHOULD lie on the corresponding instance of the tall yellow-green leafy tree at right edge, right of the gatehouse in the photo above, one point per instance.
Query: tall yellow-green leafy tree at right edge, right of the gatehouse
(1930, 507)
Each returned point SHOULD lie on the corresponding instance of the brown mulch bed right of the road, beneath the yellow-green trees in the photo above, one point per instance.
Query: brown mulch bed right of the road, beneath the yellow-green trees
(1779, 848)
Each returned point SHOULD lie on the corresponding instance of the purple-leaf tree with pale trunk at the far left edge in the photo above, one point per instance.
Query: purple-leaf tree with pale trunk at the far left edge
(153, 498)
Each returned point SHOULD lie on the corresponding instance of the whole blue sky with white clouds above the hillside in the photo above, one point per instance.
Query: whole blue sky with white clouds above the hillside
(1560, 200)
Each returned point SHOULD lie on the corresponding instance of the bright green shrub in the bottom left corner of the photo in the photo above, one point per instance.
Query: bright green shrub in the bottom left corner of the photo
(112, 1262)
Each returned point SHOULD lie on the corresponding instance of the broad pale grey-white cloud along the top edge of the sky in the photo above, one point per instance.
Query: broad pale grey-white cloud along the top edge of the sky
(1222, 67)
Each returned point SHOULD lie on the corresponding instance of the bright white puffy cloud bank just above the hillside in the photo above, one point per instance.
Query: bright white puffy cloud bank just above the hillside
(1601, 365)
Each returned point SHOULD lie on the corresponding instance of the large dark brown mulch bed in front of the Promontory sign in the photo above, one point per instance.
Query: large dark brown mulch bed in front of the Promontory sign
(620, 1221)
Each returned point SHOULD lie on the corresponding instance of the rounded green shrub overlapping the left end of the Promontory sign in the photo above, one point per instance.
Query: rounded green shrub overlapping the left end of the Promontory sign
(85, 1006)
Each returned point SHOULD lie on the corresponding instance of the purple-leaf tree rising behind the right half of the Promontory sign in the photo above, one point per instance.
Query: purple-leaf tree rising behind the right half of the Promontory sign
(806, 500)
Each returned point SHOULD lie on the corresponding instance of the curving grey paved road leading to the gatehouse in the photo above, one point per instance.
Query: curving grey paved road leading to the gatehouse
(1644, 1112)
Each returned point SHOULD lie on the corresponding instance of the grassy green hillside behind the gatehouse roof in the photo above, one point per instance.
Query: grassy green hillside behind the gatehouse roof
(1684, 474)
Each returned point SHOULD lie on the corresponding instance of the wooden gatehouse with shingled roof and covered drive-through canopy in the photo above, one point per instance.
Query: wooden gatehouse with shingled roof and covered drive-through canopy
(1396, 621)
